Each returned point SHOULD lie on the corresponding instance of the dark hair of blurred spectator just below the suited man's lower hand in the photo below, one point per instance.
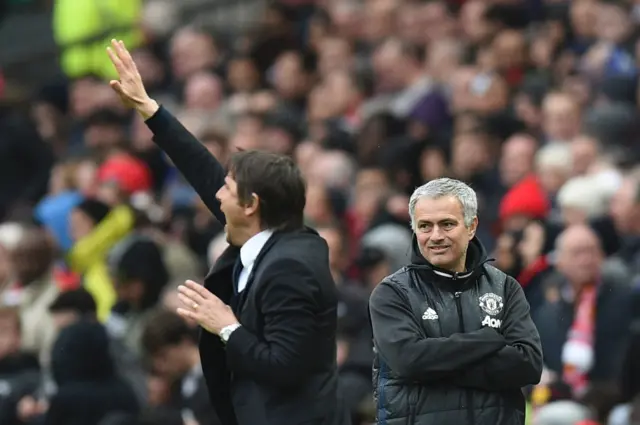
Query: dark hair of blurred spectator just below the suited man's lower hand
(164, 328)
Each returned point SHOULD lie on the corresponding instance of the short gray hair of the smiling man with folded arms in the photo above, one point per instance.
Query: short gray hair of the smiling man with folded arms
(439, 188)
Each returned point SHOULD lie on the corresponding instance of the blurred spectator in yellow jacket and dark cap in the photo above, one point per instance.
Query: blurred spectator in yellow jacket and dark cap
(95, 229)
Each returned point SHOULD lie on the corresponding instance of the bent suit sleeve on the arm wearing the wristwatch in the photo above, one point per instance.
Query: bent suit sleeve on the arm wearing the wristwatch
(288, 306)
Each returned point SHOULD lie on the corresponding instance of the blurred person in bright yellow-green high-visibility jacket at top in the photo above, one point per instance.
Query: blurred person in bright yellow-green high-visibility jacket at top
(99, 21)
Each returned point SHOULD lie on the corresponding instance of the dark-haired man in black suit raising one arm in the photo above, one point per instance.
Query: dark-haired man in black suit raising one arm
(268, 306)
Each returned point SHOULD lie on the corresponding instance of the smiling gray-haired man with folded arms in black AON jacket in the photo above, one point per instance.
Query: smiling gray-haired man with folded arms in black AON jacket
(453, 338)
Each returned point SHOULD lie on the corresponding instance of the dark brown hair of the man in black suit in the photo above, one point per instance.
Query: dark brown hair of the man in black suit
(277, 182)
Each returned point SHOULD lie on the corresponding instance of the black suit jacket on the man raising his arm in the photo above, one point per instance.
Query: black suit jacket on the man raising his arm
(279, 367)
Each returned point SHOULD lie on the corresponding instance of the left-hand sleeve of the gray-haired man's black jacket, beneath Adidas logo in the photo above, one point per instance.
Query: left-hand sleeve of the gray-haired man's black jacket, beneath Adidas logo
(399, 339)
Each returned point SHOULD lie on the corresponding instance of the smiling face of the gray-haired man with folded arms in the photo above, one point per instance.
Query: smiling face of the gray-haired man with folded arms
(442, 235)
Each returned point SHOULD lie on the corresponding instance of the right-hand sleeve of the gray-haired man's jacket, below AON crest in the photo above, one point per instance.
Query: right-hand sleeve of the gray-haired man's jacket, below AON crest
(519, 363)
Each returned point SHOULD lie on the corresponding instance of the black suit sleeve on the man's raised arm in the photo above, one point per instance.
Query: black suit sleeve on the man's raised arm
(201, 169)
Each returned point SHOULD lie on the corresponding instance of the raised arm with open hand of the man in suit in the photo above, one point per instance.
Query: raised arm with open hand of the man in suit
(201, 169)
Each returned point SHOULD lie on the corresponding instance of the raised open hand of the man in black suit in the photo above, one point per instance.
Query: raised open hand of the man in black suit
(129, 87)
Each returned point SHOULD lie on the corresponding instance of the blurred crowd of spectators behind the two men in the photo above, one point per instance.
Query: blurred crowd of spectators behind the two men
(534, 103)
